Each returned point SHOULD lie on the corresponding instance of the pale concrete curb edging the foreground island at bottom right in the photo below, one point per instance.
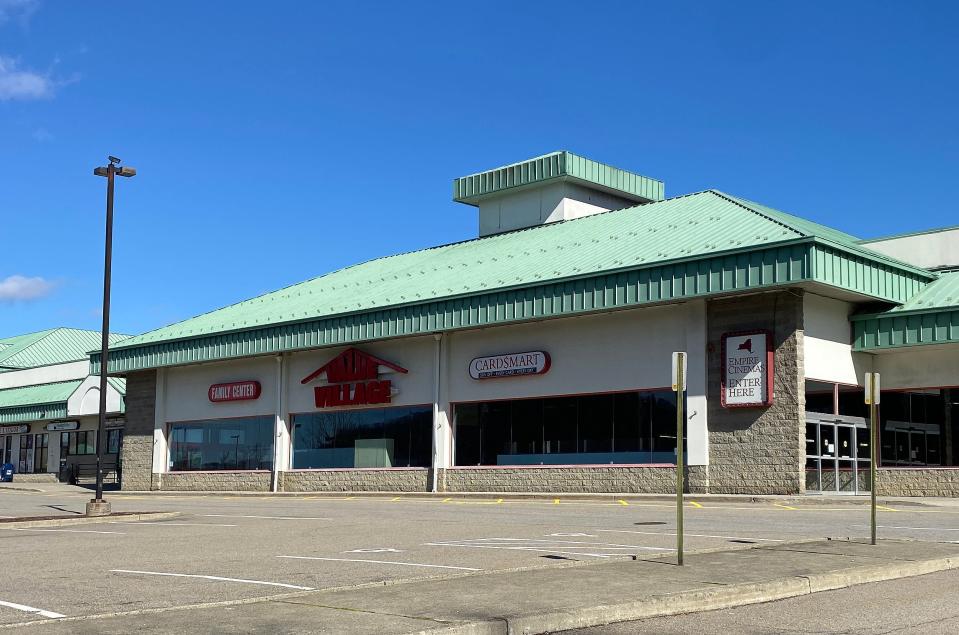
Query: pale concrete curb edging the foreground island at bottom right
(695, 601)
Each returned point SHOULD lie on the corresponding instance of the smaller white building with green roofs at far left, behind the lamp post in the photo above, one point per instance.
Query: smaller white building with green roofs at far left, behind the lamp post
(50, 405)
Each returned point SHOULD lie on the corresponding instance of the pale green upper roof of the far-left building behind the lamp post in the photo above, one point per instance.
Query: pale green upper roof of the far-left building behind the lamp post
(53, 346)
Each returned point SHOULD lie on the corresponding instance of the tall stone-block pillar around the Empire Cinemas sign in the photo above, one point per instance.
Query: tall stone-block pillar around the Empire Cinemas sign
(758, 450)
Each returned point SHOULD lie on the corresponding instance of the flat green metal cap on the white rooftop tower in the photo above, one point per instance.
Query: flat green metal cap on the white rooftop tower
(556, 165)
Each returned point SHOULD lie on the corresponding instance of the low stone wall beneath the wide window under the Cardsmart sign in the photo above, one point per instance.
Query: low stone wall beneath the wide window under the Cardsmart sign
(573, 479)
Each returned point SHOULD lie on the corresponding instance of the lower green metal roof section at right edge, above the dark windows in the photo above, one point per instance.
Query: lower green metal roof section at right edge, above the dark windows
(929, 317)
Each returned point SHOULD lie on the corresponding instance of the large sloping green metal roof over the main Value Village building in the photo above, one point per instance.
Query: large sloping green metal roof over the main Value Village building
(694, 245)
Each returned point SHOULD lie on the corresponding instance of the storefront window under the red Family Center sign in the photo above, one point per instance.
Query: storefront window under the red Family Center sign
(222, 444)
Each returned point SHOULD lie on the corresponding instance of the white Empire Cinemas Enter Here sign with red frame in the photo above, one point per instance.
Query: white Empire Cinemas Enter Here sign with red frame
(747, 378)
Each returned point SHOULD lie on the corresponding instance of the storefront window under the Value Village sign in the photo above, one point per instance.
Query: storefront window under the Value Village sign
(381, 437)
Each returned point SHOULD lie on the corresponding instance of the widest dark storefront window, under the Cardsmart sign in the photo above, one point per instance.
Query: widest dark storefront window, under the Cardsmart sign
(591, 429)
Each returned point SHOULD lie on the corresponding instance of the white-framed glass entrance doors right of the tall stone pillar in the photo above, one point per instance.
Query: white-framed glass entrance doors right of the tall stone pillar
(837, 454)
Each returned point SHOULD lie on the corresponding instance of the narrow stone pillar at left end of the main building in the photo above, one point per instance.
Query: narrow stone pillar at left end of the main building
(137, 450)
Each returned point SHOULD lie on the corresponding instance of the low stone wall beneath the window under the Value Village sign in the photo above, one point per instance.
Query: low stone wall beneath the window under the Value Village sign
(365, 480)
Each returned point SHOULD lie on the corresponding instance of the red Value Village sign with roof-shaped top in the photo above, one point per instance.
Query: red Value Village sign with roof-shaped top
(353, 380)
